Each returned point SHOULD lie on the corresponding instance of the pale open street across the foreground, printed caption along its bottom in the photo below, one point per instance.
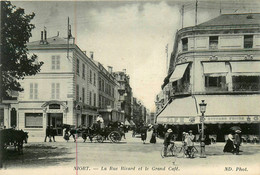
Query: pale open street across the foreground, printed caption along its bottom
(128, 156)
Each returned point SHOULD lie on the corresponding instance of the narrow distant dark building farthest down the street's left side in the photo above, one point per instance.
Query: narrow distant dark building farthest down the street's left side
(125, 92)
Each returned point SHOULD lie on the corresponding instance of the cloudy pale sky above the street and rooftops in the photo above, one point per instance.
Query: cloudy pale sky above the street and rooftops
(129, 35)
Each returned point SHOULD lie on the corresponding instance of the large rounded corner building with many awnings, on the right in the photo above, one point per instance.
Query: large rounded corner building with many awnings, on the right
(217, 61)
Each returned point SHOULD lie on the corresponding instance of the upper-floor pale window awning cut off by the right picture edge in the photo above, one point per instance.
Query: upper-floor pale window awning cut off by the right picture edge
(245, 68)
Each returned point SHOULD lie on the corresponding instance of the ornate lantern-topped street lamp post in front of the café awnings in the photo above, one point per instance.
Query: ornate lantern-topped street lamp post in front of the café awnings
(202, 141)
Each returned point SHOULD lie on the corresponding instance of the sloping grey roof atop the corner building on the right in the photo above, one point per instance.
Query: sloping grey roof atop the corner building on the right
(233, 19)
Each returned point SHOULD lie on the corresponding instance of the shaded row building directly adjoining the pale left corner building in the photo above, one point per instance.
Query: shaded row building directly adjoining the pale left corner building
(109, 103)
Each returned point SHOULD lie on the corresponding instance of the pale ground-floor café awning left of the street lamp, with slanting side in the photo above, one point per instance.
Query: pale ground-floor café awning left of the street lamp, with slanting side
(182, 111)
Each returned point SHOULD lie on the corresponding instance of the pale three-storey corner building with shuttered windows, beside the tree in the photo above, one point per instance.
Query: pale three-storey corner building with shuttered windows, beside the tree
(64, 92)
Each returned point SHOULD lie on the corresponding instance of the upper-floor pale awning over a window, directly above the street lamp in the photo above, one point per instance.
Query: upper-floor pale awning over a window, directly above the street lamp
(214, 68)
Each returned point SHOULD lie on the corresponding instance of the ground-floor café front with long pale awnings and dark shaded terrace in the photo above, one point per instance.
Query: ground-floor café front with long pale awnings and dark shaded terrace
(222, 113)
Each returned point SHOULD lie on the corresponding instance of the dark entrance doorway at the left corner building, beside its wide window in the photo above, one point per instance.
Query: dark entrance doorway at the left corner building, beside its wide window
(56, 120)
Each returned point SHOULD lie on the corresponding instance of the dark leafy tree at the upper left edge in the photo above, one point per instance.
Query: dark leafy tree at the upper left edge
(15, 60)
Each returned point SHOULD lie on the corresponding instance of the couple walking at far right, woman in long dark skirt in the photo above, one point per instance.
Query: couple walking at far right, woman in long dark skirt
(233, 143)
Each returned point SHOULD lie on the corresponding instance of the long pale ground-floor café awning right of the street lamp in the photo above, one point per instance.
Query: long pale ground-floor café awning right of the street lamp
(231, 108)
